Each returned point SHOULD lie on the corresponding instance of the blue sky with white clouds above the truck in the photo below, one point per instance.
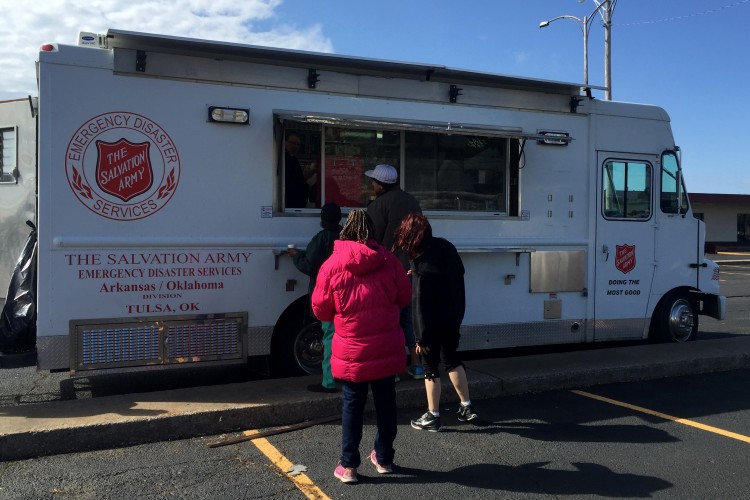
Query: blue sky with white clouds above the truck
(689, 56)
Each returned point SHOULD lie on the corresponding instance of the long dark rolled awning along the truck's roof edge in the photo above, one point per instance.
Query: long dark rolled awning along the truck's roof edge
(328, 62)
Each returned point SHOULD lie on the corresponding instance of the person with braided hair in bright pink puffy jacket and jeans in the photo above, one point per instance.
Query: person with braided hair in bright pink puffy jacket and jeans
(362, 288)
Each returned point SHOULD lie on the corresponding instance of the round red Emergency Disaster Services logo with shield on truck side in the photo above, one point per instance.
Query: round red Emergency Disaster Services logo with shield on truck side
(122, 166)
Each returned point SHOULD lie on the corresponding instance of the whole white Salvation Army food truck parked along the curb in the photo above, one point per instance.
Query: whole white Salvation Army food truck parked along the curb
(164, 207)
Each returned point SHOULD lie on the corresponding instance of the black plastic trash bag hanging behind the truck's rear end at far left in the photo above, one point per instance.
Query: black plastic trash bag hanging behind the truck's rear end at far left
(18, 320)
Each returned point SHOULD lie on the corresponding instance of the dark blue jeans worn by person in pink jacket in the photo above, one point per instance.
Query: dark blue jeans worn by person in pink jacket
(353, 399)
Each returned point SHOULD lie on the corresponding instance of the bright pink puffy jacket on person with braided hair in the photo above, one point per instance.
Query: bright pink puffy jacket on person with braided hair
(362, 289)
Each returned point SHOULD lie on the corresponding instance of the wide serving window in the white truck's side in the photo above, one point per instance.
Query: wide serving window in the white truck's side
(457, 173)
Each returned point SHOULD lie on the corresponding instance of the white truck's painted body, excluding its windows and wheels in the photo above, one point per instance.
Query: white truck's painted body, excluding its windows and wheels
(202, 235)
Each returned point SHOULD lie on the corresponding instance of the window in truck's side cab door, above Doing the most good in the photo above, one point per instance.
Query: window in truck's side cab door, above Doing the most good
(626, 190)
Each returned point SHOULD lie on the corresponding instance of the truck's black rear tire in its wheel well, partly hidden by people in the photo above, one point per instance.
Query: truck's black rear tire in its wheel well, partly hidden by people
(297, 346)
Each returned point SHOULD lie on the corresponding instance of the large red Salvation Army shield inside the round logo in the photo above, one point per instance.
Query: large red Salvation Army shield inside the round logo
(123, 169)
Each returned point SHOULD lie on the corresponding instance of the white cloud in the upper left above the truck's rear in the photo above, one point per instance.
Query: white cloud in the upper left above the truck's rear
(27, 25)
